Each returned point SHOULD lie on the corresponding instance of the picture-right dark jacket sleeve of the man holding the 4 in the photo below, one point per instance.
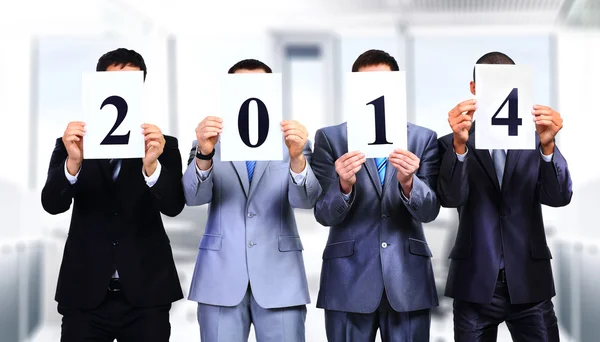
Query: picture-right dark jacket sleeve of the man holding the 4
(555, 181)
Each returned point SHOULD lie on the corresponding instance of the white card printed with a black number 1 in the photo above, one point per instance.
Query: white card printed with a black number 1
(376, 109)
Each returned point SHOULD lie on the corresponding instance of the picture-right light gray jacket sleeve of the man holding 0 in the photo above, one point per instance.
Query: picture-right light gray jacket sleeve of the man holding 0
(305, 196)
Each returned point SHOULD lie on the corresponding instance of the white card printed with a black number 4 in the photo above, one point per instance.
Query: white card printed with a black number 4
(504, 105)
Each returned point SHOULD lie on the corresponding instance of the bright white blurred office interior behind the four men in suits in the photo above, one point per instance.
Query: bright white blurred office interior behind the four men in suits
(188, 45)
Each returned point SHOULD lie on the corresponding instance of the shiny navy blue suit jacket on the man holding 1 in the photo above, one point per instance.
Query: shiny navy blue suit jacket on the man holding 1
(376, 239)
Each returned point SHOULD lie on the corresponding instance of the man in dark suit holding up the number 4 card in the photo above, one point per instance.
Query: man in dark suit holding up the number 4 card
(500, 264)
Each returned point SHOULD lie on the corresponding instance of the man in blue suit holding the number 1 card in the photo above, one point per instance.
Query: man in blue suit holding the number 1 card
(377, 271)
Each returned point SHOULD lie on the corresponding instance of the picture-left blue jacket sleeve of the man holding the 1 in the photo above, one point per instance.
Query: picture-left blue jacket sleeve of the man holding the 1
(331, 207)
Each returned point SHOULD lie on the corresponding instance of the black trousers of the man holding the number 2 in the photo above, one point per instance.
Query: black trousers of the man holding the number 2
(116, 319)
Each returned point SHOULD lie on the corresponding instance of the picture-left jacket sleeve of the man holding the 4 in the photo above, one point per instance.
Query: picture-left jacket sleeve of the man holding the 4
(453, 182)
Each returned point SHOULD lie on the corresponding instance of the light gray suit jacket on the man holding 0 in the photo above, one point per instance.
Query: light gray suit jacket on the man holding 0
(251, 234)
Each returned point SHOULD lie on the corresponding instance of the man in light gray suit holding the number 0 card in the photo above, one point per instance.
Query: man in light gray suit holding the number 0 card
(250, 268)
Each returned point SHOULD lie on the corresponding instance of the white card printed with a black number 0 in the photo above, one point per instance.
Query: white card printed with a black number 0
(251, 109)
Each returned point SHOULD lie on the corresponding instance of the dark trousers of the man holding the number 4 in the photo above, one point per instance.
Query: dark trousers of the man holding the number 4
(535, 322)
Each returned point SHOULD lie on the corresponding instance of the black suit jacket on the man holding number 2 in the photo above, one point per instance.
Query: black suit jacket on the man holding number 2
(116, 225)
